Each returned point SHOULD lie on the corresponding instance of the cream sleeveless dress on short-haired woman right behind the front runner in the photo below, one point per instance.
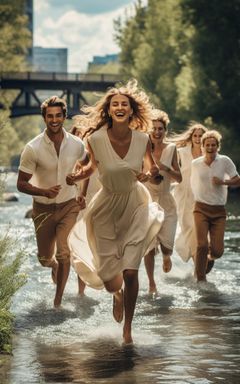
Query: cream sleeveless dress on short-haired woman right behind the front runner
(161, 193)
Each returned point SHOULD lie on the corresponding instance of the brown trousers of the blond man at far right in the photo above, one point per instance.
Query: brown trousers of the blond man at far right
(210, 225)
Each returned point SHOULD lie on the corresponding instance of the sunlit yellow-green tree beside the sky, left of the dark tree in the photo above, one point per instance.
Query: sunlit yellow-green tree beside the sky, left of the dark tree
(155, 49)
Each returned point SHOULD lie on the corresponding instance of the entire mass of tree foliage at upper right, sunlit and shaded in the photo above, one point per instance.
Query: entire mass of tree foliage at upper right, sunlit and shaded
(186, 55)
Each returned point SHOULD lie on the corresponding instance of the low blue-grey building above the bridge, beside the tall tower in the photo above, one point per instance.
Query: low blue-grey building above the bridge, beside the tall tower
(50, 59)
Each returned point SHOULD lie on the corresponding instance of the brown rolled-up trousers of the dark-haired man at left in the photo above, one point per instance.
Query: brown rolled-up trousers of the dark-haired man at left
(53, 224)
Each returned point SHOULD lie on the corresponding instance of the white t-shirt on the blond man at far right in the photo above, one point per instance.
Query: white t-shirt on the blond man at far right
(204, 190)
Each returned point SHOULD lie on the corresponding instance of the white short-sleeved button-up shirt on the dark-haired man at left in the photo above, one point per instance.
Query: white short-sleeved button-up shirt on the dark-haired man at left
(39, 158)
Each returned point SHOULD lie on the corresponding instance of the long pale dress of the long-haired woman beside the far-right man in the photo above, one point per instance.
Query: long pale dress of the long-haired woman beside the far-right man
(185, 243)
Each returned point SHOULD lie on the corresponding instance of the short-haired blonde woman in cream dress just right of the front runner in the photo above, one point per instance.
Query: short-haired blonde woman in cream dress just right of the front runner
(165, 156)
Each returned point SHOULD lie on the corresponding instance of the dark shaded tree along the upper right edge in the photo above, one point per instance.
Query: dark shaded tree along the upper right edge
(216, 54)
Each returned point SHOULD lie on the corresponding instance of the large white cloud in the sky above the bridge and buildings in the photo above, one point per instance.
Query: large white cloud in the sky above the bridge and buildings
(84, 35)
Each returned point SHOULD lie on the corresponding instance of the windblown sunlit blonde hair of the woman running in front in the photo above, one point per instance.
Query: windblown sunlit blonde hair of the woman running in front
(139, 102)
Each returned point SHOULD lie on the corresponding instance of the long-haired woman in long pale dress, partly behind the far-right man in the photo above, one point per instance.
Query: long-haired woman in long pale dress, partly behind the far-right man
(189, 148)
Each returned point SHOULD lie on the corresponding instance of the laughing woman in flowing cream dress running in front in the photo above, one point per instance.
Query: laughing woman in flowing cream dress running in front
(121, 219)
